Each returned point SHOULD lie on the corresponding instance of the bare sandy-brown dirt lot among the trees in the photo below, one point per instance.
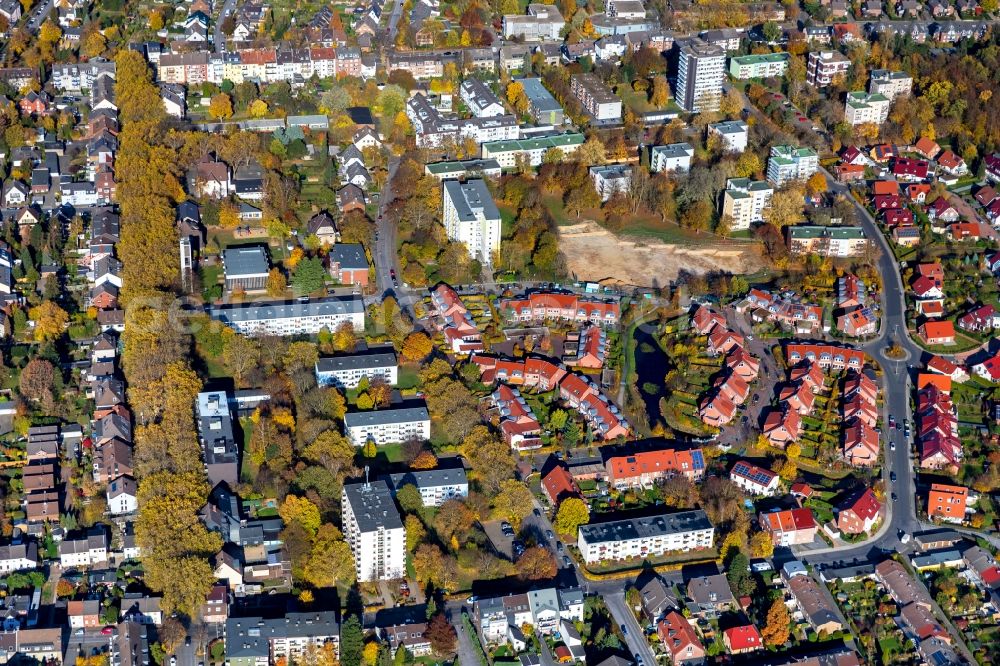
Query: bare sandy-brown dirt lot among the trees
(596, 255)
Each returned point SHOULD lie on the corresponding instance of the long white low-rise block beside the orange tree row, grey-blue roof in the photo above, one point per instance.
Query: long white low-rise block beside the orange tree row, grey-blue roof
(301, 317)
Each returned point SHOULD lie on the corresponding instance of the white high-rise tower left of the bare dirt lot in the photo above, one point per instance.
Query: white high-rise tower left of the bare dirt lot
(470, 216)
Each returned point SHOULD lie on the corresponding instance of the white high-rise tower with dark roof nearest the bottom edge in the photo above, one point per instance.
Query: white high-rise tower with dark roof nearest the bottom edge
(374, 531)
